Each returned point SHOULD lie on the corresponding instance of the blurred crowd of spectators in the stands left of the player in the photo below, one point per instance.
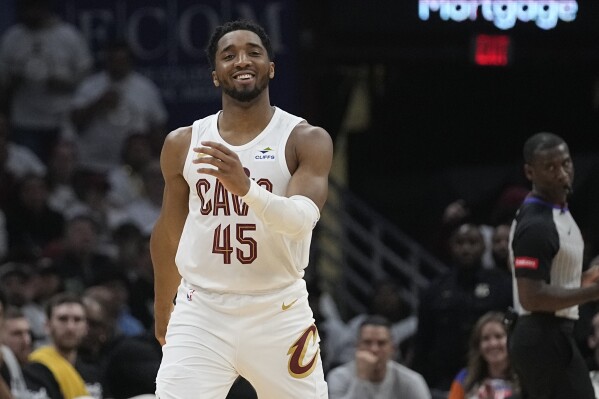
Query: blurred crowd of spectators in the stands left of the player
(80, 190)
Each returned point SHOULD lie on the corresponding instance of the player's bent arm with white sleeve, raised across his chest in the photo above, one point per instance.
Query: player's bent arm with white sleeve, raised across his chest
(309, 154)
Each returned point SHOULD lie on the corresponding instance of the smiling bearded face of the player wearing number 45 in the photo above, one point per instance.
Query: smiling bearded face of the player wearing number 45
(242, 66)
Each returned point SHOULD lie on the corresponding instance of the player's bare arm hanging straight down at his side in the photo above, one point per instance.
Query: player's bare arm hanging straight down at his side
(169, 226)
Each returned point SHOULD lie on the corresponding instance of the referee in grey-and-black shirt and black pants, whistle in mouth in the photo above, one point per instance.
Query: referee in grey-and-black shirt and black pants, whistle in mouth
(546, 251)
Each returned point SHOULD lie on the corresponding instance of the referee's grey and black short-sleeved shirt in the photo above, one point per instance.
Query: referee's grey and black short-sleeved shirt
(546, 244)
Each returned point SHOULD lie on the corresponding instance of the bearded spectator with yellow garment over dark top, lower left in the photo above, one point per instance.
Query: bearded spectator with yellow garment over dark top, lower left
(57, 367)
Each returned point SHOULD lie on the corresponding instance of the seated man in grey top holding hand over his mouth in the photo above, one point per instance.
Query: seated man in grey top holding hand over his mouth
(372, 374)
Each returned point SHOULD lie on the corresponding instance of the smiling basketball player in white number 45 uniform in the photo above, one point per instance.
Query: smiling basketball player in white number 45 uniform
(244, 189)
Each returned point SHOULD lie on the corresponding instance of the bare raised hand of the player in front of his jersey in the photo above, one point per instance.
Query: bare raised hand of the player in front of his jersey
(225, 166)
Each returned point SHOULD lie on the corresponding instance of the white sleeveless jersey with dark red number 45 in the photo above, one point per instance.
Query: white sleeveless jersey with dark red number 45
(224, 246)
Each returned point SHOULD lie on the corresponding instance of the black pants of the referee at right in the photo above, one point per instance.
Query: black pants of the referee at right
(545, 357)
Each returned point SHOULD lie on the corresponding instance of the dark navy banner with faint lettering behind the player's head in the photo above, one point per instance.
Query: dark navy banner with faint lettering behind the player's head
(168, 38)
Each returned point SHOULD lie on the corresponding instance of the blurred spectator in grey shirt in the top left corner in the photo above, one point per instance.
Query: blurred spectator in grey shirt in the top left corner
(42, 59)
